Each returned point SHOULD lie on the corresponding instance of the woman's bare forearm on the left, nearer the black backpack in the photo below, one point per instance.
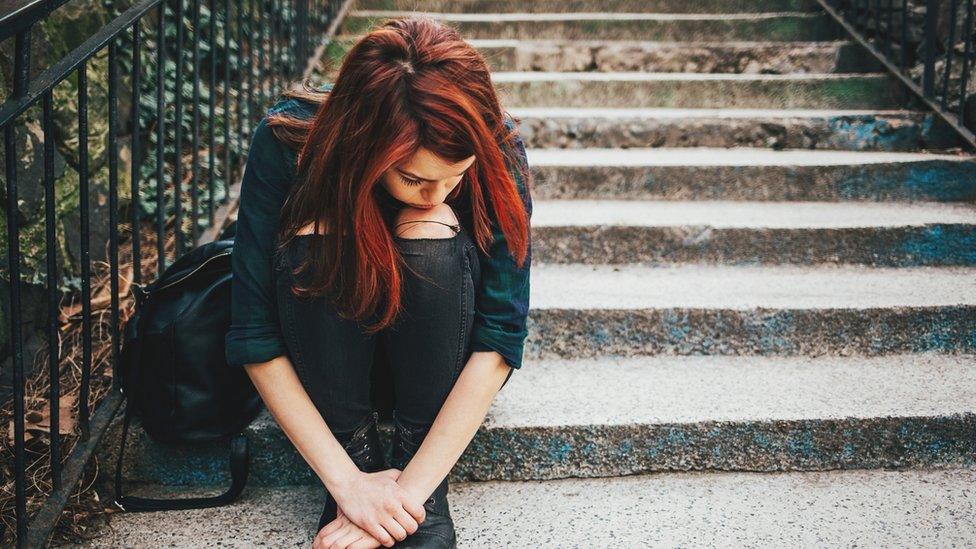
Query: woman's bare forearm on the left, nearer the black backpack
(290, 405)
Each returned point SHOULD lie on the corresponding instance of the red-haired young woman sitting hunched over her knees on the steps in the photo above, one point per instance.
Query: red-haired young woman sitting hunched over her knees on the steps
(390, 209)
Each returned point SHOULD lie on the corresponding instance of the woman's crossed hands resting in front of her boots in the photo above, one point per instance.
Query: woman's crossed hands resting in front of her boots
(375, 504)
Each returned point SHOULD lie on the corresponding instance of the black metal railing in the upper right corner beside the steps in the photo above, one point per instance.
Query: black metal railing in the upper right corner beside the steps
(927, 44)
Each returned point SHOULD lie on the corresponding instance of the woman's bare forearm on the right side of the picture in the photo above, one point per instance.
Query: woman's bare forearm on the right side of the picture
(456, 423)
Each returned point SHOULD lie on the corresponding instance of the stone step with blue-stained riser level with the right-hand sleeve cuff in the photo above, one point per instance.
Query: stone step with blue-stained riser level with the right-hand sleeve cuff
(594, 310)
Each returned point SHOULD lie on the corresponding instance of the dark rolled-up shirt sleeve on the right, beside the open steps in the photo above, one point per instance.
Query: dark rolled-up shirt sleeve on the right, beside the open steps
(502, 305)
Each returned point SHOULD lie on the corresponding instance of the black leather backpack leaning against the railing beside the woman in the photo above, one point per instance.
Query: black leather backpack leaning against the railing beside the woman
(174, 374)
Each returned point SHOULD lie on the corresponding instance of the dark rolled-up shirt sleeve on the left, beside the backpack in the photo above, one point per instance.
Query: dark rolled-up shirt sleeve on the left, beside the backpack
(255, 335)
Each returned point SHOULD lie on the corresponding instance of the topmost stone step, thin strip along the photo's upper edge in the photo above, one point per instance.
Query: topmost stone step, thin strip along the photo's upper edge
(568, 6)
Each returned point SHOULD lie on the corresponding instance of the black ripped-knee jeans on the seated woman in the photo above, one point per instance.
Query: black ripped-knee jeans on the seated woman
(427, 346)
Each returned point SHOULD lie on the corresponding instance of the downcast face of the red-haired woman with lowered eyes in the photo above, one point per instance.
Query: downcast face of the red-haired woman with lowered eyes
(424, 179)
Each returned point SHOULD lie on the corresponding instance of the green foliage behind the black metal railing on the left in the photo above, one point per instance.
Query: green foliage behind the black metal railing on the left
(65, 29)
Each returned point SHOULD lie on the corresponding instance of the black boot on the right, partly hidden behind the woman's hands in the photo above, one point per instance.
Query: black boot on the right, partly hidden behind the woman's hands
(437, 530)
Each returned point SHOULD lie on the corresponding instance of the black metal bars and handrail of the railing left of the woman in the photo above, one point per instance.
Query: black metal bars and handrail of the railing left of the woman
(253, 67)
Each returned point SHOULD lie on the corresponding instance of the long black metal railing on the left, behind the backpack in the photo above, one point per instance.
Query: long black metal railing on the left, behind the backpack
(221, 63)
